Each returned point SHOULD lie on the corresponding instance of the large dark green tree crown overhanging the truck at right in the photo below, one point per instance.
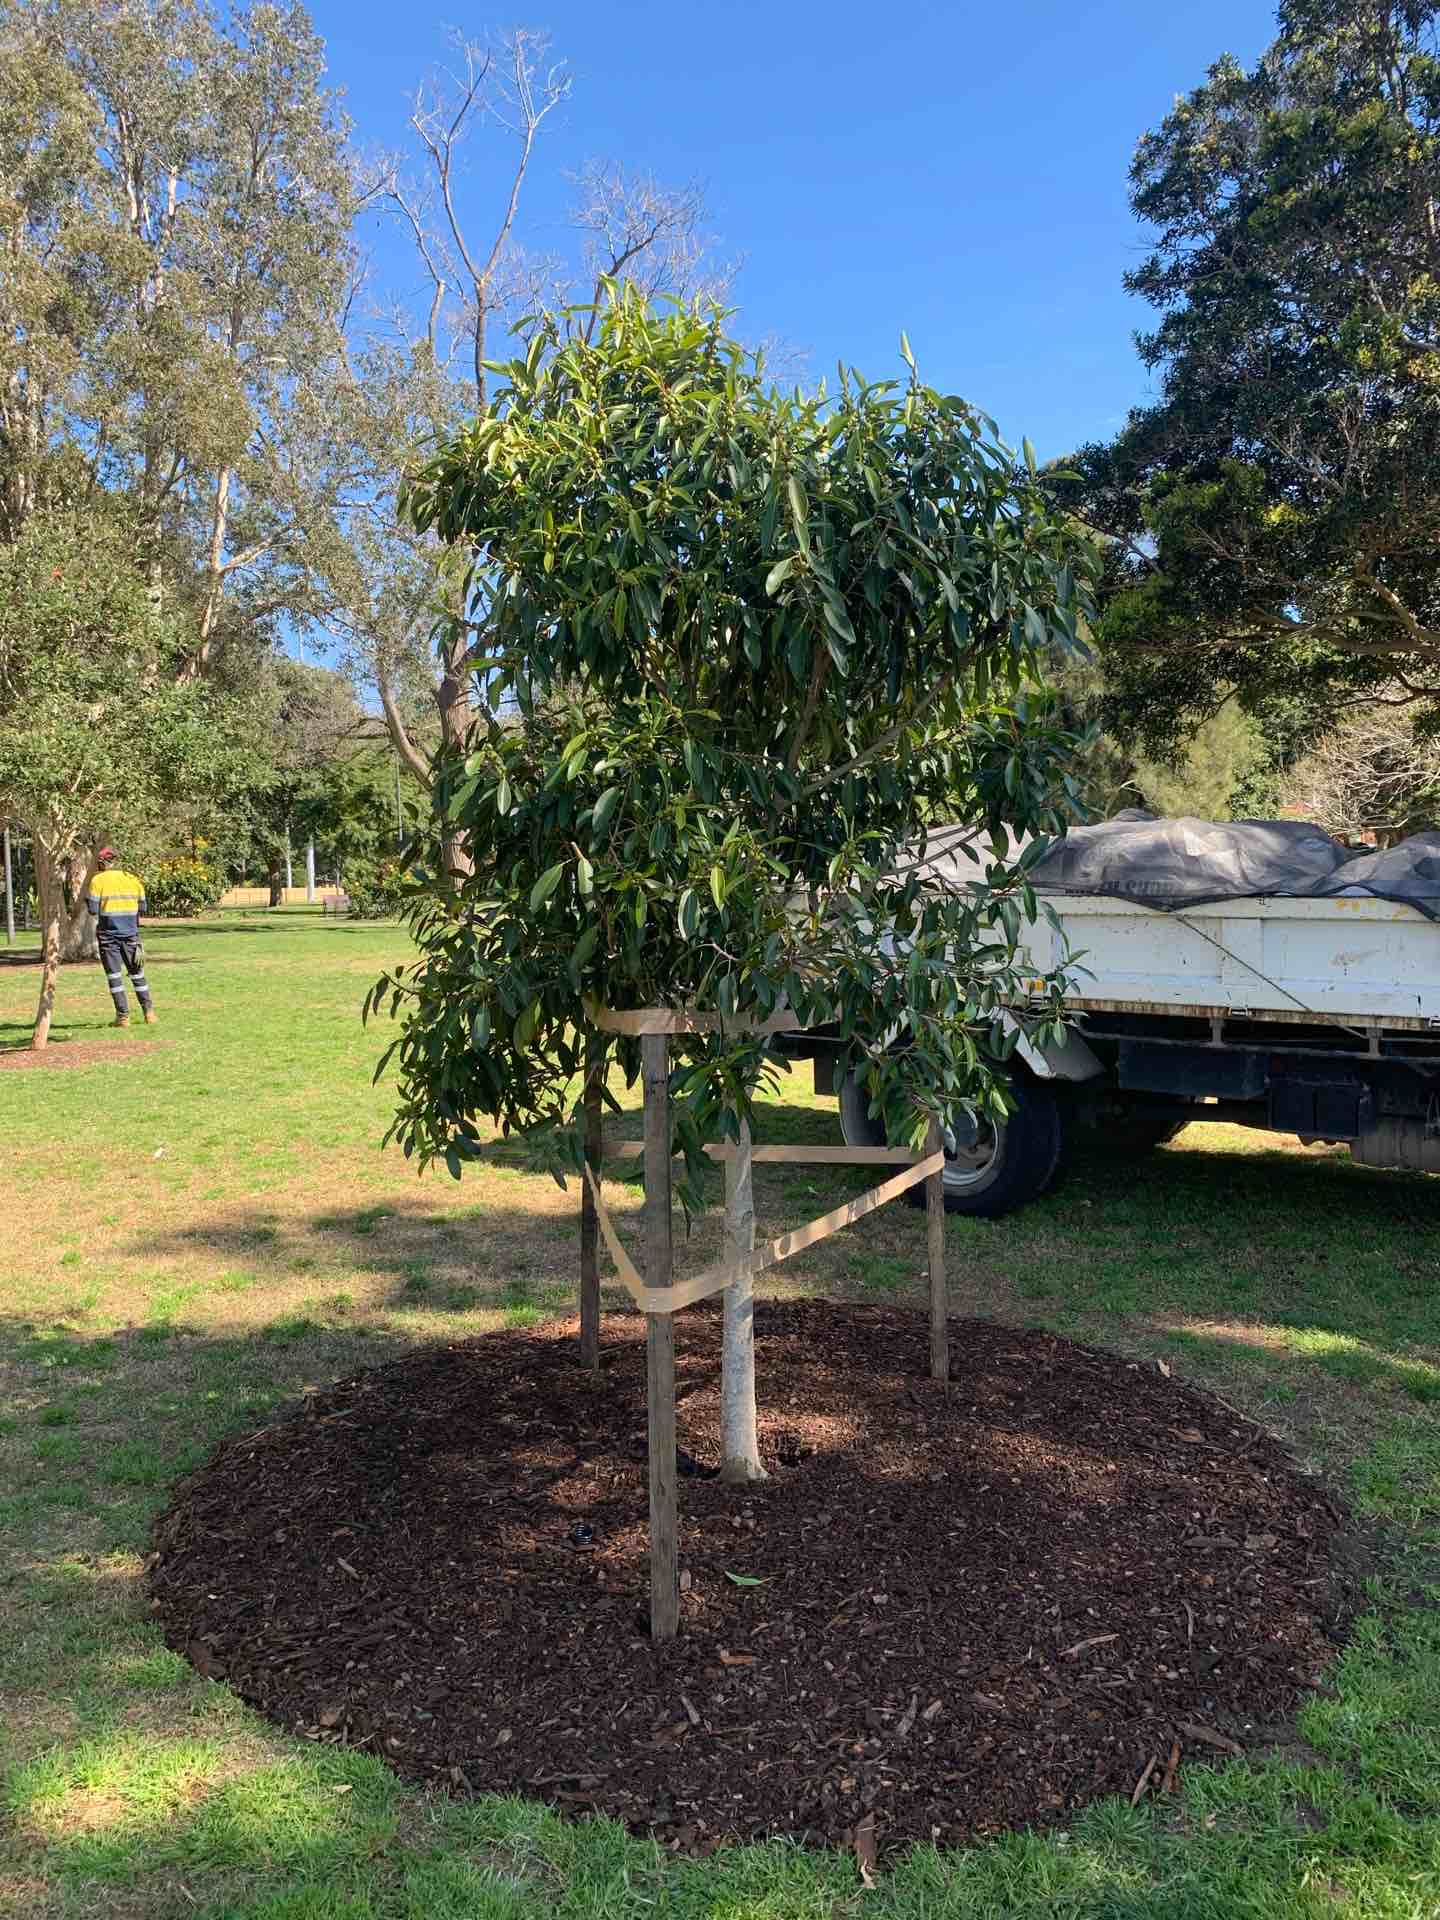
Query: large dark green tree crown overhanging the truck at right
(1272, 519)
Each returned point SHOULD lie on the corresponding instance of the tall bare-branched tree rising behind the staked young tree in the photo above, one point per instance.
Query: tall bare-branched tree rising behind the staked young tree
(418, 377)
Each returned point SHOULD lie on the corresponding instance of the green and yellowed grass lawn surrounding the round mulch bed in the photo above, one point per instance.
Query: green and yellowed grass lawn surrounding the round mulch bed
(197, 1226)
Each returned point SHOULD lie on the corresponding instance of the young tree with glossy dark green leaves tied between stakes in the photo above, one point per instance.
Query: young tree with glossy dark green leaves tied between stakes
(757, 642)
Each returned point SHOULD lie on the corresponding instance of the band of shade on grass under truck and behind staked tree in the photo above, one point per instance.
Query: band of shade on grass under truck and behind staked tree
(1291, 1266)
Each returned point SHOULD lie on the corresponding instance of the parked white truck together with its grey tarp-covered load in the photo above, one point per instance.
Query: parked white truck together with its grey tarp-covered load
(1255, 972)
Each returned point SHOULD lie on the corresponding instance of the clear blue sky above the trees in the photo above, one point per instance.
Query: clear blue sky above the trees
(957, 172)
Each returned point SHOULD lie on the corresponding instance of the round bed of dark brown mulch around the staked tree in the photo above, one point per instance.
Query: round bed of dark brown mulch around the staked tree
(978, 1610)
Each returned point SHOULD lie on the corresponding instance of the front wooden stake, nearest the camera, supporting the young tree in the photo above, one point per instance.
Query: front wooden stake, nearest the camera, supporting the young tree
(661, 1343)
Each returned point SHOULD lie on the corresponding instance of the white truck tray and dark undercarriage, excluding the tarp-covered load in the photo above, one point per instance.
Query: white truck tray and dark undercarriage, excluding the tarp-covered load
(1307, 1017)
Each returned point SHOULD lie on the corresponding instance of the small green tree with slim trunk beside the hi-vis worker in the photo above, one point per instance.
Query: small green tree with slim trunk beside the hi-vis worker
(103, 734)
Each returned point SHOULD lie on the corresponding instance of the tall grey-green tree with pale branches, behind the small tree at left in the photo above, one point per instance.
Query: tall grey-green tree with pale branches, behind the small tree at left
(178, 203)
